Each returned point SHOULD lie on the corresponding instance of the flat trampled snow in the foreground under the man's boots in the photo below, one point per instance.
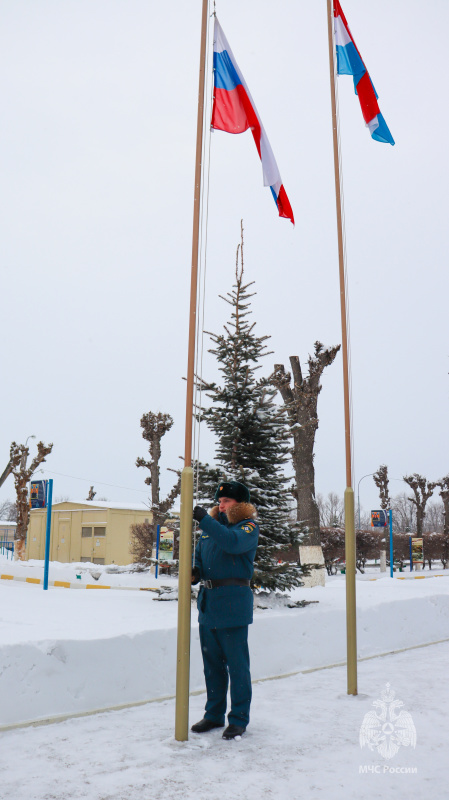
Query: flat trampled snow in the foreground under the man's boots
(303, 742)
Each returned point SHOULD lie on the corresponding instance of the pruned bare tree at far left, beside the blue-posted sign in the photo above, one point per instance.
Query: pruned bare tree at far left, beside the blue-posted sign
(22, 476)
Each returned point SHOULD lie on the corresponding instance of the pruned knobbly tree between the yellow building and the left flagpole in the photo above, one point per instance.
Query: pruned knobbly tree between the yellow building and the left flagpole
(154, 427)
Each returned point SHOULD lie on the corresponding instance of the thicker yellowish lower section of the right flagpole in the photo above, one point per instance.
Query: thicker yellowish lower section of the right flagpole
(351, 615)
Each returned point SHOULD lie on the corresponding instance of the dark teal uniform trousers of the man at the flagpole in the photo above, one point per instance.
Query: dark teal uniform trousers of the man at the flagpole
(226, 657)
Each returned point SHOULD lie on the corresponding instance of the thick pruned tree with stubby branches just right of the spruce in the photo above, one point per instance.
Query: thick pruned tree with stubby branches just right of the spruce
(301, 404)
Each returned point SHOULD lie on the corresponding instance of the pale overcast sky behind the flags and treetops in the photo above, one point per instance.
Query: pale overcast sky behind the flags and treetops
(97, 164)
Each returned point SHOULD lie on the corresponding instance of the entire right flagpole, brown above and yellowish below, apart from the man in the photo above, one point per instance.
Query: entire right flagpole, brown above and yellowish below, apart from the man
(350, 552)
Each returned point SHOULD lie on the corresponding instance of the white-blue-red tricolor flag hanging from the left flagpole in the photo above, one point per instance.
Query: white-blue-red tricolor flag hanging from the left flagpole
(234, 112)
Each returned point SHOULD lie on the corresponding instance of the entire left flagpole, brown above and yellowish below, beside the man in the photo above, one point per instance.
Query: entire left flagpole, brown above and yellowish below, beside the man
(185, 536)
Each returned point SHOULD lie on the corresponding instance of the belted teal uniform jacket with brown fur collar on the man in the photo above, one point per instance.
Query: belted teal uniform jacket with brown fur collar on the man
(226, 549)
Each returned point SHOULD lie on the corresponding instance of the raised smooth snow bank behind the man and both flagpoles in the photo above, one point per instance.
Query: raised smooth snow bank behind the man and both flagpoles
(65, 652)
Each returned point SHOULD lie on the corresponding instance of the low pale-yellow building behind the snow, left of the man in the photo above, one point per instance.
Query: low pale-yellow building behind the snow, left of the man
(86, 531)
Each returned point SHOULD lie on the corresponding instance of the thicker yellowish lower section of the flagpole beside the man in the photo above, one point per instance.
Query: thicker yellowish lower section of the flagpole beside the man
(184, 606)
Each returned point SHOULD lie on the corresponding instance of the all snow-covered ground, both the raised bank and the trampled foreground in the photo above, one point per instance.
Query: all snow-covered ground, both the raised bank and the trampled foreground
(65, 652)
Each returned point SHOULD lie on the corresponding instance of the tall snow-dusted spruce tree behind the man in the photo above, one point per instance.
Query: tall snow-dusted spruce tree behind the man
(252, 435)
